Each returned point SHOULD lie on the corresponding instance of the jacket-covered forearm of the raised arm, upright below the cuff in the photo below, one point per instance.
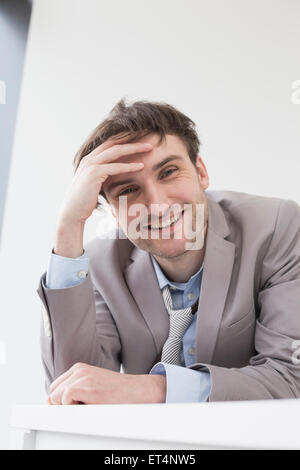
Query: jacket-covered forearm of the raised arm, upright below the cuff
(72, 321)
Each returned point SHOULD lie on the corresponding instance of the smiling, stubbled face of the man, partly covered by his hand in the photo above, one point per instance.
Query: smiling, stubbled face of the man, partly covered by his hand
(169, 187)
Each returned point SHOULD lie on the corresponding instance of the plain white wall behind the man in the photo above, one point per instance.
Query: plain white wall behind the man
(228, 64)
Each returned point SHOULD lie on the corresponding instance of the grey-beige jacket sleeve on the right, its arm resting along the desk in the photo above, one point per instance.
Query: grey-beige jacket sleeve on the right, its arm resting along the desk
(274, 372)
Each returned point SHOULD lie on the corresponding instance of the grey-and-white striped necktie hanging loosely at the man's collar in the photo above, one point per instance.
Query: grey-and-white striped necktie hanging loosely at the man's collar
(179, 321)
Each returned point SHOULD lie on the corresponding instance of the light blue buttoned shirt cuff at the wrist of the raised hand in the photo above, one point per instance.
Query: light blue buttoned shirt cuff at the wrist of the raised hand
(65, 272)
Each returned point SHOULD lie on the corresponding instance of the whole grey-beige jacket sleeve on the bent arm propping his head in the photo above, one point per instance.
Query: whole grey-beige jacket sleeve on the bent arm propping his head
(76, 326)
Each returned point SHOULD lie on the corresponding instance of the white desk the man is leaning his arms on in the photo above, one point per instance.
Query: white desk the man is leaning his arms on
(263, 424)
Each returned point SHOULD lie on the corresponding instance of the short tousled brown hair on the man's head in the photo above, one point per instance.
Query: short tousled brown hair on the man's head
(139, 119)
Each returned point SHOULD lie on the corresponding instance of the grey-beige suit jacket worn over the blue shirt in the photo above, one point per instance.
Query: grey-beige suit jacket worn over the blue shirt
(248, 322)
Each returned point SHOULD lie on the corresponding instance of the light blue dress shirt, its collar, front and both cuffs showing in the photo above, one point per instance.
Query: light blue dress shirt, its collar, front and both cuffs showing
(182, 384)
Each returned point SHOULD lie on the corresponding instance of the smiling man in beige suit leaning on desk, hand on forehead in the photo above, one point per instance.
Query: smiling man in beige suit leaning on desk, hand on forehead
(206, 308)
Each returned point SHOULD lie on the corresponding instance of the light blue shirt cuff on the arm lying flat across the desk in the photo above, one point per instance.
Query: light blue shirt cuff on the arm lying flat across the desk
(184, 385)
